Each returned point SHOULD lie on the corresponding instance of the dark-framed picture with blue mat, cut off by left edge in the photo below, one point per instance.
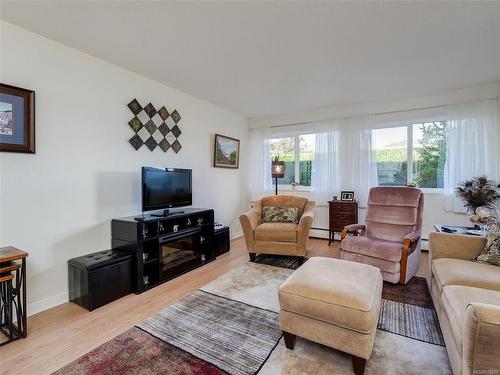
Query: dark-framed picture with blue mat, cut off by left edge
(17, 119)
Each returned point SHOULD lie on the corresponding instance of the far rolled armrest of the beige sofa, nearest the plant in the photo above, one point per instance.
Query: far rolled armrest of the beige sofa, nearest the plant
(457, 246)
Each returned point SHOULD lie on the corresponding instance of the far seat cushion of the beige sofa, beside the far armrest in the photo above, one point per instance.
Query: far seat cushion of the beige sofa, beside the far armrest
(466, 273)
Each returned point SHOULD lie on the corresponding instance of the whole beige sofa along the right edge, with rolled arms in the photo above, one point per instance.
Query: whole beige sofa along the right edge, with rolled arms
(466, 295)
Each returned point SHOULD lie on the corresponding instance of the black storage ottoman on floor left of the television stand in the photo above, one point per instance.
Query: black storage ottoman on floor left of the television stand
(99, 278)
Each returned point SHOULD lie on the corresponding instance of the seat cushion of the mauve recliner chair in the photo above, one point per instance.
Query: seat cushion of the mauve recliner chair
(373, 247)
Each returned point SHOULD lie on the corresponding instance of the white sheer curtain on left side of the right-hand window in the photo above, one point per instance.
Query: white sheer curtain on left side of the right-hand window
(358, 158)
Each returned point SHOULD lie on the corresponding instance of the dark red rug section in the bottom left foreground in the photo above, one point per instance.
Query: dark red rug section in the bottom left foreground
(136, 352)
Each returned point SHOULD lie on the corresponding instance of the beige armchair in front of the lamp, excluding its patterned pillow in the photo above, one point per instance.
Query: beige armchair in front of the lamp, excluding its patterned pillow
(278, 238)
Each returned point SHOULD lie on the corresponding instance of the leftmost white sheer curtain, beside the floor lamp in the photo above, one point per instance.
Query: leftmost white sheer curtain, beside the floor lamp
(260, 165)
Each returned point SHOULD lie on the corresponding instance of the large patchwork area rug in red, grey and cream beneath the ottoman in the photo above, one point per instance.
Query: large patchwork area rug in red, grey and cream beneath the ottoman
(230, 326)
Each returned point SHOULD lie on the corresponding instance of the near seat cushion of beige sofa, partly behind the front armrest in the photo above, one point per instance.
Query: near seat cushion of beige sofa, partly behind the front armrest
(455, 299)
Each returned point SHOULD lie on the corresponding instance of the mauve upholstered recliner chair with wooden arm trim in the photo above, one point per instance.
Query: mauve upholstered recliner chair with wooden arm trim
(390, 240)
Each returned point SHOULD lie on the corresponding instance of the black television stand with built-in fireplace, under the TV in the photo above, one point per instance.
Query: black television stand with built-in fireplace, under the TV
(165, 247)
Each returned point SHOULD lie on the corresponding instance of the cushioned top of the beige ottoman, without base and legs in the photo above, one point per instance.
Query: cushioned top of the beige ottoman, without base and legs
(334, 291)
